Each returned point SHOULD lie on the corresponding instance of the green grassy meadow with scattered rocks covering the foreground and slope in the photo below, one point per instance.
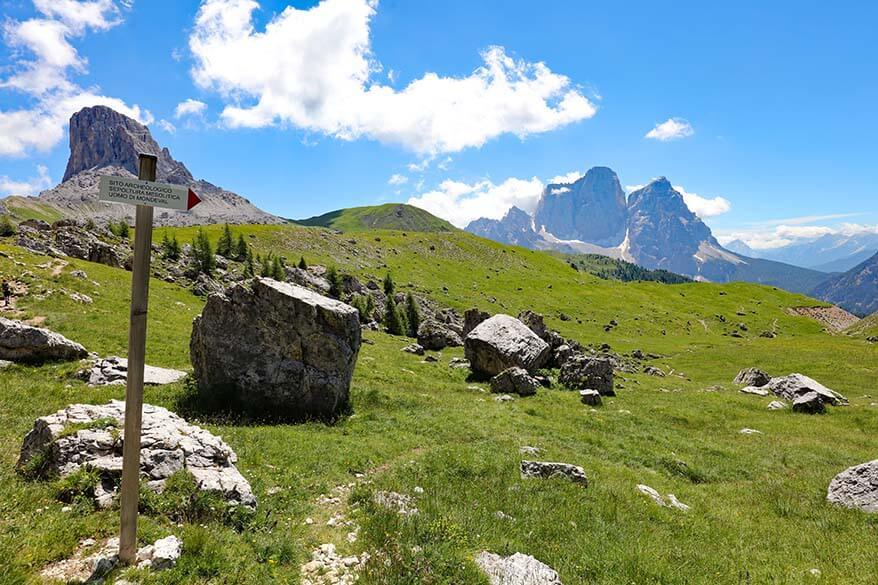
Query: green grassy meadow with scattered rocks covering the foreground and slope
(758, 502)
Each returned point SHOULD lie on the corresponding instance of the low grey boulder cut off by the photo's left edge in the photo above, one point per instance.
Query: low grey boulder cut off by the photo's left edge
(24, 343)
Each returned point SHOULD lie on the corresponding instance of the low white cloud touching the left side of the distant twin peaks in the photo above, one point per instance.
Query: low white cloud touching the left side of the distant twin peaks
(461, 203)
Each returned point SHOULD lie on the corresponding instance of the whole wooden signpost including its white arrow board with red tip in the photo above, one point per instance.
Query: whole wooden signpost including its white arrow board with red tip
(146, 194)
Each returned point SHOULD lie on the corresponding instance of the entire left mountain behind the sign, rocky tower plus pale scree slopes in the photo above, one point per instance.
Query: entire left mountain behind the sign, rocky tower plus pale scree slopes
(105, 142)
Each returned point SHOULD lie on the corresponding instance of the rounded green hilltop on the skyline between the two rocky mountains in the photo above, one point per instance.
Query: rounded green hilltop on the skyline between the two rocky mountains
(391, 216)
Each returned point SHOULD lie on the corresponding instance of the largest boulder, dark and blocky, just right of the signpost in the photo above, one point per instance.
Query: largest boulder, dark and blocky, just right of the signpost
(278, 348)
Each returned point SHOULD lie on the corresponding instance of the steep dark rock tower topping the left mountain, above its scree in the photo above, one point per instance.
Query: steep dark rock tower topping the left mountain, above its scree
(102, 137)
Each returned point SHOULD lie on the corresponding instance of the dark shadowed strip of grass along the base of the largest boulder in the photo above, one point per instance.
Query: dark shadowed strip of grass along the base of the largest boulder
(223, 405)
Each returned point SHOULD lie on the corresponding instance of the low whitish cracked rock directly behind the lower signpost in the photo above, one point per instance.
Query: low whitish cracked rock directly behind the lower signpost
(91, 436)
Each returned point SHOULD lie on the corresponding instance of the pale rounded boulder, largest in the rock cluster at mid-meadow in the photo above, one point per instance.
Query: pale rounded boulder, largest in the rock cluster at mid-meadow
(503, 342)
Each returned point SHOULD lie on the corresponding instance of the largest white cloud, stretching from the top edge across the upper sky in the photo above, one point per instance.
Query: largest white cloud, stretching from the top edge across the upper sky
(313, 69)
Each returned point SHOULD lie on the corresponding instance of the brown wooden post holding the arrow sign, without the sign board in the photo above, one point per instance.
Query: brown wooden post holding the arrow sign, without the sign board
(136, 359)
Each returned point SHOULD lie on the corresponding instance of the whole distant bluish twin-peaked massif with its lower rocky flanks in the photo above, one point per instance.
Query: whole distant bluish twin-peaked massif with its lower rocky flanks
(653, 228)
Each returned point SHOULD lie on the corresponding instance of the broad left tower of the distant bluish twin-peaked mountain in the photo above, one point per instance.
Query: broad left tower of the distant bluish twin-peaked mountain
(593, 209)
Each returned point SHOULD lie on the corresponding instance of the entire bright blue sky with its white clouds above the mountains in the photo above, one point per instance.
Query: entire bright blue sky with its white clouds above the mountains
(768, 109)
